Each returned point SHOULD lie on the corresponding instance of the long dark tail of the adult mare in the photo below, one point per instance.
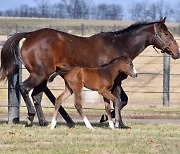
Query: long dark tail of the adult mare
(9, 53)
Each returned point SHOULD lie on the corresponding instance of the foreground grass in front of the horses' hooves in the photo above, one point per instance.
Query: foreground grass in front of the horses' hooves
(141, 139)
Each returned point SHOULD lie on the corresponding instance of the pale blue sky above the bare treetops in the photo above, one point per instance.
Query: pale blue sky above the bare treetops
(7, 4)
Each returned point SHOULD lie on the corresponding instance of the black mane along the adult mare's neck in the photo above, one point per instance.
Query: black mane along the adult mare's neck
(132, 28)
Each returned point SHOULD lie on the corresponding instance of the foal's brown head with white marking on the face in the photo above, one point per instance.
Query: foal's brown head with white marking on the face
(128, 67)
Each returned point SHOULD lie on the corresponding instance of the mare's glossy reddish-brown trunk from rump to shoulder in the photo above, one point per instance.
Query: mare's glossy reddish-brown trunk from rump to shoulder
(49, 48)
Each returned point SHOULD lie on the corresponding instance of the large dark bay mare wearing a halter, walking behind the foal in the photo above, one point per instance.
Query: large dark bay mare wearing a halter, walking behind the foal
(46, 50)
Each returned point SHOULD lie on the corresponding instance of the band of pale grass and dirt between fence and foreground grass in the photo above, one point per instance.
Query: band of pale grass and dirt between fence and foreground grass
(135, 116)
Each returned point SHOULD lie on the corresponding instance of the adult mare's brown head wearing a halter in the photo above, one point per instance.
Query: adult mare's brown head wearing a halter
(164, 40)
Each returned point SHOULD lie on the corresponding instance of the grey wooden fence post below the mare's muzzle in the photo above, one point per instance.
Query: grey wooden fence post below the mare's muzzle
(166, 79)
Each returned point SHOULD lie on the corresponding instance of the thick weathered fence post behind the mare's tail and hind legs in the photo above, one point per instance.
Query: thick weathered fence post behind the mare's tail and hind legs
(14, 94)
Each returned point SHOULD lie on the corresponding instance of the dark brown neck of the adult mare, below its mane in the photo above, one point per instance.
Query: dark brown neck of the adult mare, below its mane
(133, 43)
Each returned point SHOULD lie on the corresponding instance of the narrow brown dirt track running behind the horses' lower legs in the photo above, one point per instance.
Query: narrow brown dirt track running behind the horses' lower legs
(127, 118)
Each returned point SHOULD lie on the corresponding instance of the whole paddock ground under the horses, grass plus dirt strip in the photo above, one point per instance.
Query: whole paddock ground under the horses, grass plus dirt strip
(152, 131)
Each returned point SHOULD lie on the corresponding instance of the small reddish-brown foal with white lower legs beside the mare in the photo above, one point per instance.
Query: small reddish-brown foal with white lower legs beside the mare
(97, 79)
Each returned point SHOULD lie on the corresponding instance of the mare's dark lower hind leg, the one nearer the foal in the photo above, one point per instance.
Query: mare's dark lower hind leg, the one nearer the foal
(37, 97)
